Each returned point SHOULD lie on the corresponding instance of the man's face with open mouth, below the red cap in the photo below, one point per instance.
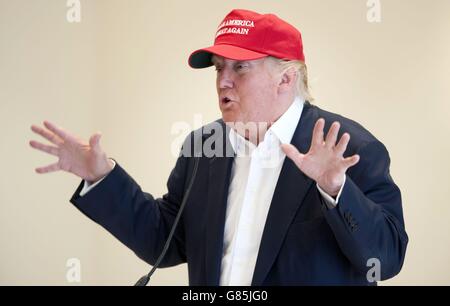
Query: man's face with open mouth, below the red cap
(247, 90)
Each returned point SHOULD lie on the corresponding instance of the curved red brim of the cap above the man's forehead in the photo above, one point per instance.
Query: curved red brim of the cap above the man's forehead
(202, 58)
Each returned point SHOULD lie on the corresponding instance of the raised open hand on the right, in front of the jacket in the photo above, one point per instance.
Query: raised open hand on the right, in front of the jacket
(324, 162)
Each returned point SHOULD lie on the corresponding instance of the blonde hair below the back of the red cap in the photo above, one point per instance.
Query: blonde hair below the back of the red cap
(301, 86)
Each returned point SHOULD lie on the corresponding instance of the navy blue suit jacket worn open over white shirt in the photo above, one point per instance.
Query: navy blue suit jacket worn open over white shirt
(303, 242)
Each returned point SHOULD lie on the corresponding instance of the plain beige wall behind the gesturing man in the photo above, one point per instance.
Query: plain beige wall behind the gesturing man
(123, 71)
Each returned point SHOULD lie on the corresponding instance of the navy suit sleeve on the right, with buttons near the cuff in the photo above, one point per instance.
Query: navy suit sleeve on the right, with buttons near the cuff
(368, 221)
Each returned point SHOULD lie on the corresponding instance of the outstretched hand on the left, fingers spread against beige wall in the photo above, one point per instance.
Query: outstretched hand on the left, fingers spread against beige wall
(86, 160)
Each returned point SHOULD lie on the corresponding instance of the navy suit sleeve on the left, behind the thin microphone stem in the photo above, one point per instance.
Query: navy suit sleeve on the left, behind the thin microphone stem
(138, 220)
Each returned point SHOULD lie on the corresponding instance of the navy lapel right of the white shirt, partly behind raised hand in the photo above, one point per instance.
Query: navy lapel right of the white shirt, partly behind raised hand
(290, 191)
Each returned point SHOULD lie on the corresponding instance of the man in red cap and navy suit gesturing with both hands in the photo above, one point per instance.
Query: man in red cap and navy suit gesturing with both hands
(254, 217)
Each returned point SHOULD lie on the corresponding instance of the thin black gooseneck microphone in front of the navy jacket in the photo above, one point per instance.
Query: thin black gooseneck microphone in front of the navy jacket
(143, 281)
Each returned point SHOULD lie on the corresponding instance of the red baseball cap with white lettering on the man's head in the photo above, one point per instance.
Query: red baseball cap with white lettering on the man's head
(246, 35)
